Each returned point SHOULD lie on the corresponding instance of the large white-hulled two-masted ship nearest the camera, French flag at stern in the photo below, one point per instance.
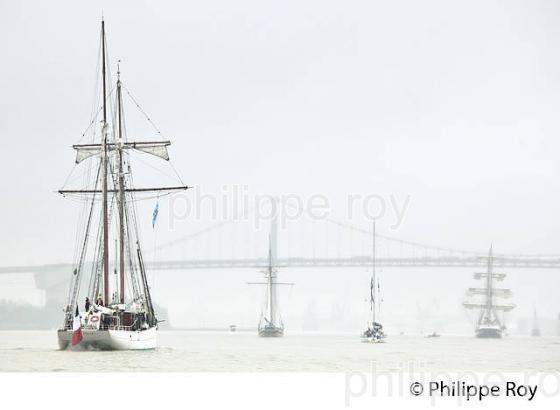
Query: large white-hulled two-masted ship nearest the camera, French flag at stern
(112, 310)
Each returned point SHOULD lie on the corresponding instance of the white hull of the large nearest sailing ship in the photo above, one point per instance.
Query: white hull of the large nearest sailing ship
(111, 339)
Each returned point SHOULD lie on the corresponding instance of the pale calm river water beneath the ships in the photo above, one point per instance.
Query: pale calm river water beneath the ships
(244, 351)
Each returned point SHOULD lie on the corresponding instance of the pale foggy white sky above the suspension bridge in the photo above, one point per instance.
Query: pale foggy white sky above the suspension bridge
(452, 103)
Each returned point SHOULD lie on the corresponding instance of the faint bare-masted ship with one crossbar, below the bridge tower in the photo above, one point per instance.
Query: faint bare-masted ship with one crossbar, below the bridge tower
(270, 323)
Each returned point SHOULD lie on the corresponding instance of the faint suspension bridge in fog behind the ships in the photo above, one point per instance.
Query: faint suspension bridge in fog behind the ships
(332, 244)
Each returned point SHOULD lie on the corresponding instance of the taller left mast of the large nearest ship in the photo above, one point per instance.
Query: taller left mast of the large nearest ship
(105, 160)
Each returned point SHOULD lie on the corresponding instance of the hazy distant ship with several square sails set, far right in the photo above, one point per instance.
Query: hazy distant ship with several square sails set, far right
(489, 301)
